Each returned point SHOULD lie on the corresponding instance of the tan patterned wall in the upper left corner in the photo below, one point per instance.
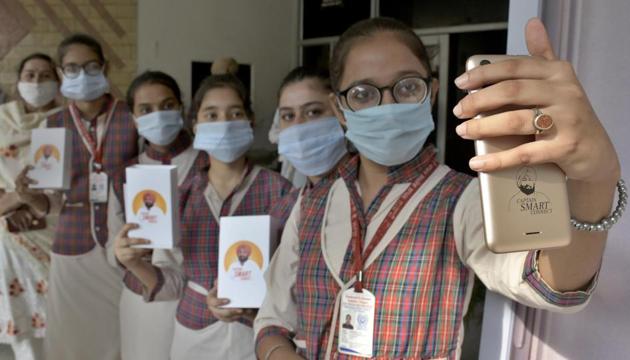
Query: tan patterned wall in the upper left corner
(39, 25)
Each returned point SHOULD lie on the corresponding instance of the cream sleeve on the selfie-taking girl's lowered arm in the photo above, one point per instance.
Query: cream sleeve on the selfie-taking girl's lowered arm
(278, 313)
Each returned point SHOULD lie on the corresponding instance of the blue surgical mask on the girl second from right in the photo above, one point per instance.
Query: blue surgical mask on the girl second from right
(314, 147)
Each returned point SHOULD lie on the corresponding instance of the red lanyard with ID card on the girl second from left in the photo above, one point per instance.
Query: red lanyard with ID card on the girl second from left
(98, 187)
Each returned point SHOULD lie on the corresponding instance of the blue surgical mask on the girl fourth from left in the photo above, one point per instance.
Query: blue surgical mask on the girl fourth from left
(225, 141)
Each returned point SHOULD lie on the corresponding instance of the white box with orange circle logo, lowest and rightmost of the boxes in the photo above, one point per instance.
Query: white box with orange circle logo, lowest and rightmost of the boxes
(245, 245)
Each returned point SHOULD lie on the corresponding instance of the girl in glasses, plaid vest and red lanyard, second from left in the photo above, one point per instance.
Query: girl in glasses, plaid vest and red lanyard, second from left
(84, 291)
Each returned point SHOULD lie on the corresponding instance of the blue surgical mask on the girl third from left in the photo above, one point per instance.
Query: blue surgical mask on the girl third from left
(160, 127)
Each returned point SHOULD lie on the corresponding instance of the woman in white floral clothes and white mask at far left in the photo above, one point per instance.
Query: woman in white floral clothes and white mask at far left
(24, 243)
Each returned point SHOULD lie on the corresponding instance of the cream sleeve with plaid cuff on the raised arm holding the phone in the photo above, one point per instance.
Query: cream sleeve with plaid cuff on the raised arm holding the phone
(514, 275)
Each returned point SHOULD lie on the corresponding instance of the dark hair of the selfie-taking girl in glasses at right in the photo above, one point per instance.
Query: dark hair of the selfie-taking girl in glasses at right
(368, 28)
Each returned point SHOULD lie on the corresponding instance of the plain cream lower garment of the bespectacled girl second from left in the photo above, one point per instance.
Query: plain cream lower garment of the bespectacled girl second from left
(88, 302)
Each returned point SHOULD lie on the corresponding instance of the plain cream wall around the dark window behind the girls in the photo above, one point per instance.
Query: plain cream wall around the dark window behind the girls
(263, 33)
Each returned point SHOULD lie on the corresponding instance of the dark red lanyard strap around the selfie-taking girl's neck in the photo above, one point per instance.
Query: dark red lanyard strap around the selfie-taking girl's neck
(358, 235)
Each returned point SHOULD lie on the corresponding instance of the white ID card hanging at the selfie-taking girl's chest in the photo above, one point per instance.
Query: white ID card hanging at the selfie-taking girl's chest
(356, 323)
